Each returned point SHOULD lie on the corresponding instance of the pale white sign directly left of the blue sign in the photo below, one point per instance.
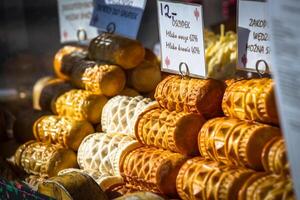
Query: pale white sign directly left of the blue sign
(74, 19)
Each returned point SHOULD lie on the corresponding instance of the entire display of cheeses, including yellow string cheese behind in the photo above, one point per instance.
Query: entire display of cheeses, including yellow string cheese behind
(200, 139)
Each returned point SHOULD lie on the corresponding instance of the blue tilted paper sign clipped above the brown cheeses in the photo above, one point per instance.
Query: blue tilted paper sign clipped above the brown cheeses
(118, 16)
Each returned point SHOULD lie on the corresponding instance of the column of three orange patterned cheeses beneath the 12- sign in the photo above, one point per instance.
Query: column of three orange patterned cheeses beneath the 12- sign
(168, 133)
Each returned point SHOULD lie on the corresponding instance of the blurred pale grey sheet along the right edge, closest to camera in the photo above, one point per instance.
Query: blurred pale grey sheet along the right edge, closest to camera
(285, 26)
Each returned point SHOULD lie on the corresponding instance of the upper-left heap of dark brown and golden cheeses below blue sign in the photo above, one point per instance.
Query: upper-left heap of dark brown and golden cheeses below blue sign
(86, 79)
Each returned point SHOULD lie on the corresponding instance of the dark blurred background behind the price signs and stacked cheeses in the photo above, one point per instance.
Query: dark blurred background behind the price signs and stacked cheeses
(29, 38)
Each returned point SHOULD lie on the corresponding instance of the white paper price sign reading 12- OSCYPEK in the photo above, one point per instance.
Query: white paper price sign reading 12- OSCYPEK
(181, 38)
